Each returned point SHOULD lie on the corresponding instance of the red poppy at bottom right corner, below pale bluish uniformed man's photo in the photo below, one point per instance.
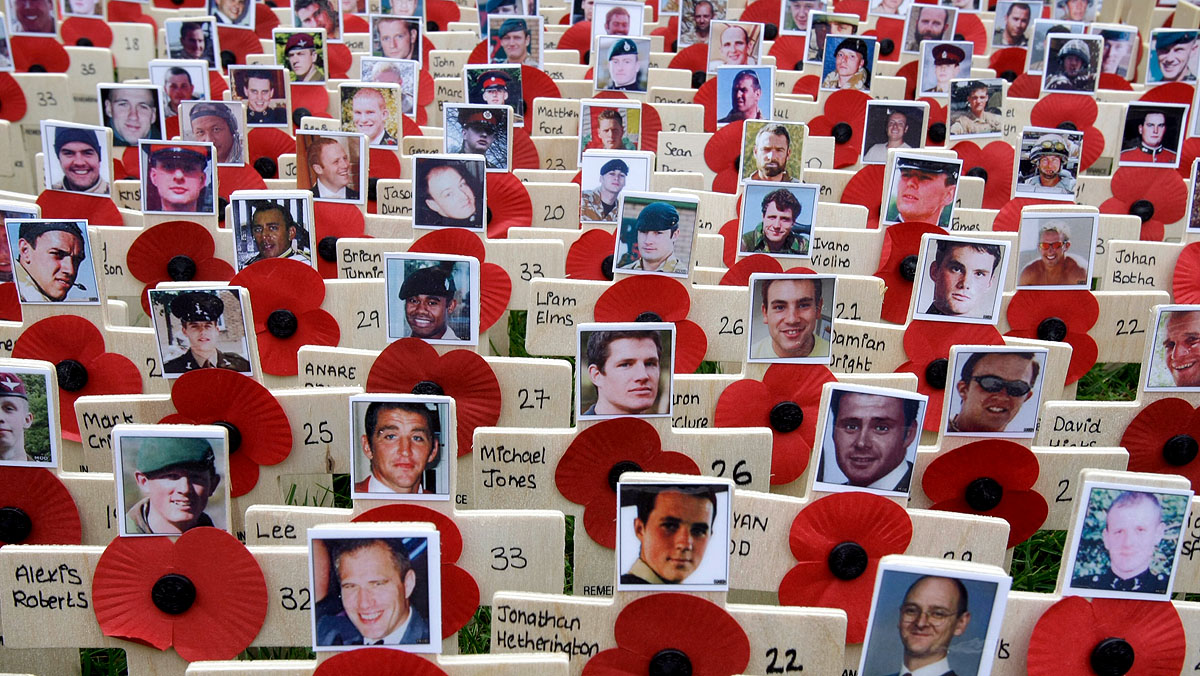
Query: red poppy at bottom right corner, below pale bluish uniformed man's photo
(1081, 638)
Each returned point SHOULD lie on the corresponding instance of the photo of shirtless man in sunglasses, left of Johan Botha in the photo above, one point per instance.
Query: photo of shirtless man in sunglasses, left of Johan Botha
(1047, 260)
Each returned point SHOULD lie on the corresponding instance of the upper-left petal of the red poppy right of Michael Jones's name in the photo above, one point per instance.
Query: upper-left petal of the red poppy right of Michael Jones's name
(583, 472)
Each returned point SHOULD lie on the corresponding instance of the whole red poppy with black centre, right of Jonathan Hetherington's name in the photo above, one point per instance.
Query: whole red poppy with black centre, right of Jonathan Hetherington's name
(665, 631)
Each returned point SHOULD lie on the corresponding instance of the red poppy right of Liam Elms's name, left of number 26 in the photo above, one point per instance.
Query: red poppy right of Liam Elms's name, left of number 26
(668, 300)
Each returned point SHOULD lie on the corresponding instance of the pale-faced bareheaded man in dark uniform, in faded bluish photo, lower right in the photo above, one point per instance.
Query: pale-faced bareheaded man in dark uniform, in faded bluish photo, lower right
(1133, 529)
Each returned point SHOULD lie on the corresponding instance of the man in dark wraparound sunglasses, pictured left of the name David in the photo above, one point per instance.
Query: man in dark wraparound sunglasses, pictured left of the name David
(993, 388)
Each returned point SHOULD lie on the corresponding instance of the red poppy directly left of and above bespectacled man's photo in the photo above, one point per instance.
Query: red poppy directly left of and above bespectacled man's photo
(839, 541)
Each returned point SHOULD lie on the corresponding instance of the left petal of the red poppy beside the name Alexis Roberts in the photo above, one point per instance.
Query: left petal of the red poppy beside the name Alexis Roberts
(121, 590)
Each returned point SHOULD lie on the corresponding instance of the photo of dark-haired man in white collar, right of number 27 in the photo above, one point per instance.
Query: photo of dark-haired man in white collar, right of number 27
(625, 369)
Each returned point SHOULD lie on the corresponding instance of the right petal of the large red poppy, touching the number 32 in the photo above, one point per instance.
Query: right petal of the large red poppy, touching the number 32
(231, 601)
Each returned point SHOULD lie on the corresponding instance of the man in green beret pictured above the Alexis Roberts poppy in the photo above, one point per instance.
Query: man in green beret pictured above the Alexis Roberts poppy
(178, 477)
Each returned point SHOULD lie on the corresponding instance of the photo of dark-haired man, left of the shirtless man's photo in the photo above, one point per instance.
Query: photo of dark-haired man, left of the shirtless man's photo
(965, 280)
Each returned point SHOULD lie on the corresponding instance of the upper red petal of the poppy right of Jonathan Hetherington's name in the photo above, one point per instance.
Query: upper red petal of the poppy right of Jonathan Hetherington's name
(711, 638)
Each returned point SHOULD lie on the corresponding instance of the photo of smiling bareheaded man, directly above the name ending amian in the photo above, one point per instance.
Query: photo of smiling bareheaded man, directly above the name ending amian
(789, 319)
